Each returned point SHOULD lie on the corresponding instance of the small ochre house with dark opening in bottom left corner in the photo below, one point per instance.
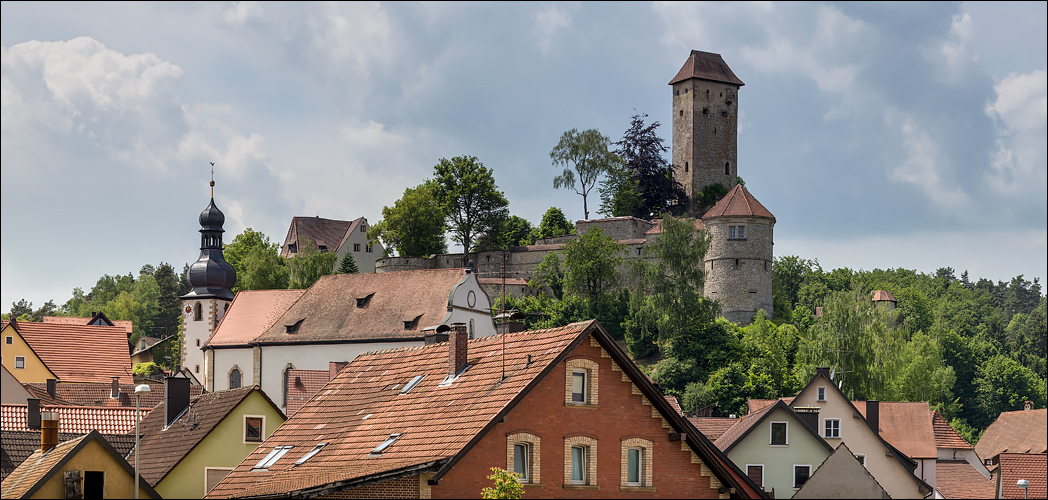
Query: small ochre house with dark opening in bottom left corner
(89, 466)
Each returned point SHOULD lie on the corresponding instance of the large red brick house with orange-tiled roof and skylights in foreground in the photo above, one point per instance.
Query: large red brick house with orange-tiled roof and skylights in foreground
(565, 407)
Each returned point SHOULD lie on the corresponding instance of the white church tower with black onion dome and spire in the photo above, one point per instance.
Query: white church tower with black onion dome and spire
(213, 279)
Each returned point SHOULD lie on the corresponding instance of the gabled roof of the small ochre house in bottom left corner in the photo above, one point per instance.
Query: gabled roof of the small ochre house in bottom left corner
(37, 470)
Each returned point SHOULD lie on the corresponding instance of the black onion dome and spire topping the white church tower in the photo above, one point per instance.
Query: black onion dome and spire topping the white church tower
(211, 275)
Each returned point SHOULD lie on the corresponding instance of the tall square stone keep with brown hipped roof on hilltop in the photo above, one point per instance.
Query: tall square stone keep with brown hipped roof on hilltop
(706, 124)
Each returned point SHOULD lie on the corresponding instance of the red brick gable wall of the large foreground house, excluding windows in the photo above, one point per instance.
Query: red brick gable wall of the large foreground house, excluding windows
(623, 415)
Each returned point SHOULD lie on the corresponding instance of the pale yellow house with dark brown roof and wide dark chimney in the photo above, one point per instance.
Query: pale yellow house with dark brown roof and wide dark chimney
(188, 449)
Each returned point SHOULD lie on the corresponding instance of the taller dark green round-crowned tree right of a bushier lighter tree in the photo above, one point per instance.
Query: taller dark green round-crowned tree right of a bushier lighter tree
(470, 200)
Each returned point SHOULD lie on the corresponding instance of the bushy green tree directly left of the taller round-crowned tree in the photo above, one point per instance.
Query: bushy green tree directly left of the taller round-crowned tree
(414, 227)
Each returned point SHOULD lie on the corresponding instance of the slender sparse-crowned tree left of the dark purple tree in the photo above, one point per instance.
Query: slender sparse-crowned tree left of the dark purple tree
(585, 158)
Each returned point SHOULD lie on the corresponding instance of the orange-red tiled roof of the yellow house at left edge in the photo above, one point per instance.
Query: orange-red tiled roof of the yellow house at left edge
(79, 353)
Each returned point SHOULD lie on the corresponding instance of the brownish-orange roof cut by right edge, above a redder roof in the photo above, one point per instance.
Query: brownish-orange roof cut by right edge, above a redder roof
(1016, 432)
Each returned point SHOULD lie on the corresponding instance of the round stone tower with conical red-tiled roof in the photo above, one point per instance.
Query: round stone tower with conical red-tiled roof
(739, 262)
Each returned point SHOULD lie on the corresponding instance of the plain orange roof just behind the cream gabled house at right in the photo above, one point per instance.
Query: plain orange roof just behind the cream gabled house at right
(907, 426)
